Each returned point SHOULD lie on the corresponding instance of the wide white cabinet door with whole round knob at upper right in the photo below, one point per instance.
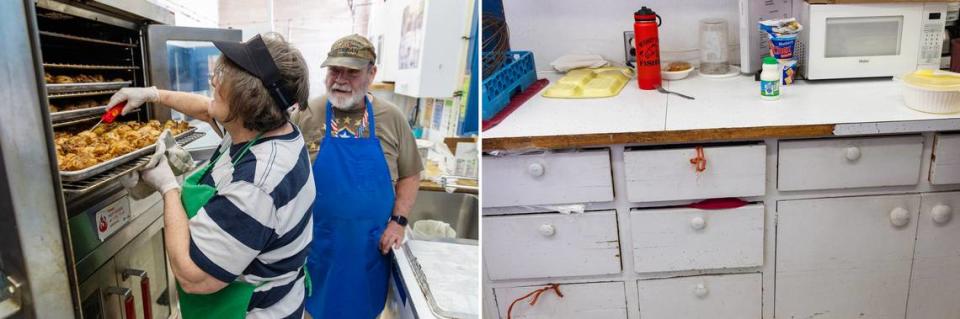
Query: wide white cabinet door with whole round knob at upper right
(845, 257)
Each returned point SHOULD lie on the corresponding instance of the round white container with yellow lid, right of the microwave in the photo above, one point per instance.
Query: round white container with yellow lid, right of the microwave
(932, 91)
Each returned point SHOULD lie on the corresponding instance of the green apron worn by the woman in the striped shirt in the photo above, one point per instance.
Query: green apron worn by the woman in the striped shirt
(232, 300)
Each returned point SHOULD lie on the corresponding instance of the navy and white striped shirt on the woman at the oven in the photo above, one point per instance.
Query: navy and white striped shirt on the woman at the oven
(258, 227)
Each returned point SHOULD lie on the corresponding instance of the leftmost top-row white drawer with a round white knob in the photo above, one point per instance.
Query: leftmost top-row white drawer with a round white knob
(545, 179)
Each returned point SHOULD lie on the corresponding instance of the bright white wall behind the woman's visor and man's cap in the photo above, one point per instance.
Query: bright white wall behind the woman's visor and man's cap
(310, 25)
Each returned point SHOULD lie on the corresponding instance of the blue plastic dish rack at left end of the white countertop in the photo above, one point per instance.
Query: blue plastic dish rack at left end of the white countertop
(517, 74)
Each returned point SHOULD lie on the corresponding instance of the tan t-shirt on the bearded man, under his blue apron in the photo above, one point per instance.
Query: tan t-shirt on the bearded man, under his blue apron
(396, 138)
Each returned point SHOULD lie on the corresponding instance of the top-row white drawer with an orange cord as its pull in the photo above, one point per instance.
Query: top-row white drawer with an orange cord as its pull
(668, 174)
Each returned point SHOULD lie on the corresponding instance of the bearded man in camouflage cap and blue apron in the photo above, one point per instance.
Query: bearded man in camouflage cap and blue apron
(367, 173)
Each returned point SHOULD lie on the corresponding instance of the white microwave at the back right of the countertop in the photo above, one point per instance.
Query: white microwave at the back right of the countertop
(841, 41)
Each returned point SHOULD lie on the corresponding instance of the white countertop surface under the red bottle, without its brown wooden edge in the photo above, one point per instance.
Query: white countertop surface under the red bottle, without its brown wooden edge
(720, 103)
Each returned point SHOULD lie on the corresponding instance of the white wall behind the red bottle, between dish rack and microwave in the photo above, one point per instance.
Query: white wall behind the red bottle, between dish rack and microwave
(551, 28)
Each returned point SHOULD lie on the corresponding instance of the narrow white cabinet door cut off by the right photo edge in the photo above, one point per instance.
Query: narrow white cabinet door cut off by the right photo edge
(935, 285)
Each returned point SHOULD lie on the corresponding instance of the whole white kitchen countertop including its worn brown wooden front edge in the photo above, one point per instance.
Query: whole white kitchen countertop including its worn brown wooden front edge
(724, 109)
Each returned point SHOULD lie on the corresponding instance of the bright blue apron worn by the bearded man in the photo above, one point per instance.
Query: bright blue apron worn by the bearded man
(354, 202)
